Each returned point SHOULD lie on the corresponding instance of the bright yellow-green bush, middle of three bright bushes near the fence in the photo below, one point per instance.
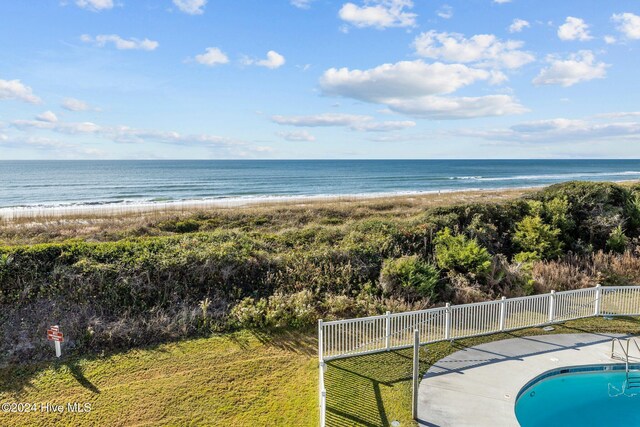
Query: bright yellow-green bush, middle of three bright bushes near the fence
(460, 254)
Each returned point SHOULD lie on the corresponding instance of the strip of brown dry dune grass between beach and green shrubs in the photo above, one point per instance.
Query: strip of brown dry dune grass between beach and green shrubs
(272, 216)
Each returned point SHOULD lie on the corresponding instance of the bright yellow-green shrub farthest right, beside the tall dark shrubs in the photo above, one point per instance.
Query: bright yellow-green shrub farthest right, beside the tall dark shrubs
(534, 236)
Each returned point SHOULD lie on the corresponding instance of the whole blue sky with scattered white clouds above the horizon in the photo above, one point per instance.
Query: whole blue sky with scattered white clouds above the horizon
(306, 79)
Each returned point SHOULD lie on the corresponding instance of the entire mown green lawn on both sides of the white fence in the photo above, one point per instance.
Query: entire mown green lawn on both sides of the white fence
(239, 379)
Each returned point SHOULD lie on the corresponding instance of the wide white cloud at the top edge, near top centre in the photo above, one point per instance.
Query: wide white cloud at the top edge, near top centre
(379, 14)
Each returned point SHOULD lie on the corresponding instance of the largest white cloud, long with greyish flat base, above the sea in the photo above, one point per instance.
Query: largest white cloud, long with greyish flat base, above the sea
(414, 88)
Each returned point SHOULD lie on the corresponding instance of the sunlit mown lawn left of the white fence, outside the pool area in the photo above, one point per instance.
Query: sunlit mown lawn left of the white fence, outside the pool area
(239, 379)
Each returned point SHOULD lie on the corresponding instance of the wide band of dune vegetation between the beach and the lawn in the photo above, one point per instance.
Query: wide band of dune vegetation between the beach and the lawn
(132, 284)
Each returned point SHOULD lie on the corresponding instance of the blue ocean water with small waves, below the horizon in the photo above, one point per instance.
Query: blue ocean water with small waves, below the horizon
(56, 183)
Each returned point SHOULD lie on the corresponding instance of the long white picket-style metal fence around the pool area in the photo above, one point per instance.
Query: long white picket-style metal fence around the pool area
(365, 335)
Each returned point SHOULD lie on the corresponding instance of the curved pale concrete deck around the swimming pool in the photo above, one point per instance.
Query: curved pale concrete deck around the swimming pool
(478, 386)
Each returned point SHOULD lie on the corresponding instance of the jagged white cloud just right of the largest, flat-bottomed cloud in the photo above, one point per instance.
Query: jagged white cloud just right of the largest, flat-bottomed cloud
(578, 67)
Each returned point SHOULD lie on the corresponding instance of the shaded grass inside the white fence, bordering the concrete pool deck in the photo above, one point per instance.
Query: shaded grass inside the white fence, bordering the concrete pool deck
(375, 390)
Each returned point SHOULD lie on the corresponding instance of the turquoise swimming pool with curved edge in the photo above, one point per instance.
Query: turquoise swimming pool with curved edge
(579, 396)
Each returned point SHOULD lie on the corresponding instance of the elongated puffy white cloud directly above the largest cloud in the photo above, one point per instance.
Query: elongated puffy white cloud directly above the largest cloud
(482, 49)
